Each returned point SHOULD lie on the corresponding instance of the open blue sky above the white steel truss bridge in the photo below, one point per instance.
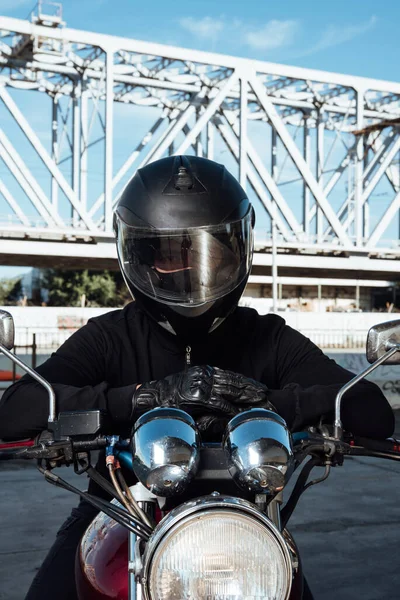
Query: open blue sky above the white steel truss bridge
(356, 37)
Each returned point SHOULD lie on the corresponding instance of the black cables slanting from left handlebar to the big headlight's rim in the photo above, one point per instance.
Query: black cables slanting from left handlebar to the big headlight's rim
(119, 515)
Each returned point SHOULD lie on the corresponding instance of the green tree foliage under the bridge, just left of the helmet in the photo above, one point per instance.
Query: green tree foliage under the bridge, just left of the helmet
(98, 288)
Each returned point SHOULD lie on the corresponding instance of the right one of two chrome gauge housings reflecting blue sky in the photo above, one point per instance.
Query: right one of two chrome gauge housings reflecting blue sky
(259, 451)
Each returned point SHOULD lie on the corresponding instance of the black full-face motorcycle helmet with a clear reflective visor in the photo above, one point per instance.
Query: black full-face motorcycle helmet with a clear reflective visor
(184, 230)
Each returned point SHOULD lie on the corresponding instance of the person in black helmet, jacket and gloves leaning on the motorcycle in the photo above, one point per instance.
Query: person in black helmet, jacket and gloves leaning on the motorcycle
(184, 229)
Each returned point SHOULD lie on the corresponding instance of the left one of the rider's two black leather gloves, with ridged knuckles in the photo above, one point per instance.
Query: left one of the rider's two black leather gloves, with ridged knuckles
(192, 390)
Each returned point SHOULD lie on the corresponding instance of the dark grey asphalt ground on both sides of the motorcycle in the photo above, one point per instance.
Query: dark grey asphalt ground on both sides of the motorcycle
(347, 528)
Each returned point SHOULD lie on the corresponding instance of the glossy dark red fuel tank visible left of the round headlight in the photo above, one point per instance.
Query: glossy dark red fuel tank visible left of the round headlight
(102, 561)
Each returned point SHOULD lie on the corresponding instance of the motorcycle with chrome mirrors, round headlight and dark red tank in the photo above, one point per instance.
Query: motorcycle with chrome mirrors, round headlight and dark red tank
(205, 521)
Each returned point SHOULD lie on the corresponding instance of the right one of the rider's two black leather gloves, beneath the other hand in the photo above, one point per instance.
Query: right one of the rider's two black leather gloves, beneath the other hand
(241, 391)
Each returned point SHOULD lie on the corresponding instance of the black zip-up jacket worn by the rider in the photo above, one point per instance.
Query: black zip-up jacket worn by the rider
(99, 366)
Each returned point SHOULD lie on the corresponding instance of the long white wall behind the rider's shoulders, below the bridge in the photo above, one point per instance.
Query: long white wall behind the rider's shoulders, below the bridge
(331, 331)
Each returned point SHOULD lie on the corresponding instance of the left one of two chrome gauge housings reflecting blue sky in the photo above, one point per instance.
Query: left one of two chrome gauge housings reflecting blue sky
(165, 450)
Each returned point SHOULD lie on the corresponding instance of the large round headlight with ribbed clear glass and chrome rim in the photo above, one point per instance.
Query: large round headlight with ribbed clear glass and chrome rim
(217, 548)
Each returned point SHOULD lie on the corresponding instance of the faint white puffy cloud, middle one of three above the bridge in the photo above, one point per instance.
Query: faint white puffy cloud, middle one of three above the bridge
(273, 34)
